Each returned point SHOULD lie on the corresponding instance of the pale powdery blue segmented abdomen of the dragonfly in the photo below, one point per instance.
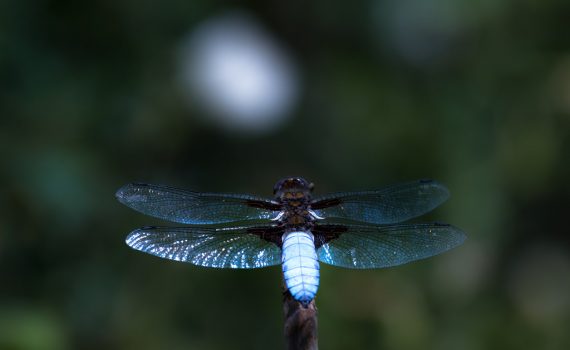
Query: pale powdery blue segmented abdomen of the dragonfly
(300, 265)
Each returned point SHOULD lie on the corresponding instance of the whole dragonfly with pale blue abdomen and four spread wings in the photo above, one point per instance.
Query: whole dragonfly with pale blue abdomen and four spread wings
(357, 230)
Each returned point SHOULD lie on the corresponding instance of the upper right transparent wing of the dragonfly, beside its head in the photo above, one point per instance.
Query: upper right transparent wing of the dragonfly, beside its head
(387, 206)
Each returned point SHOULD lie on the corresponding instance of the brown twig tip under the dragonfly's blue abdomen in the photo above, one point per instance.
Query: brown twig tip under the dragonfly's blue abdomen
(300, 323)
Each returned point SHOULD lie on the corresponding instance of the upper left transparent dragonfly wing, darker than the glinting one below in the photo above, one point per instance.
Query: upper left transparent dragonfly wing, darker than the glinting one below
(196, 208)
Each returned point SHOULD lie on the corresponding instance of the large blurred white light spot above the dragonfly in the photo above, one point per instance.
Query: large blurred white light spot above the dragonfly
(235, 72)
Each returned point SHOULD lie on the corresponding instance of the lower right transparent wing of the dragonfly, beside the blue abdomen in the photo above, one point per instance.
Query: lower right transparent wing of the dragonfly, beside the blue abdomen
(369, 246)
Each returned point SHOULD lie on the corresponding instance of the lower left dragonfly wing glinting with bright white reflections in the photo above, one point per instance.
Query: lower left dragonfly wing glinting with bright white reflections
(206, 246)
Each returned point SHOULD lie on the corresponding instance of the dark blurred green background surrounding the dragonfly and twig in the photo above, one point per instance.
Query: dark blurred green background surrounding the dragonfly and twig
(93, 95)
